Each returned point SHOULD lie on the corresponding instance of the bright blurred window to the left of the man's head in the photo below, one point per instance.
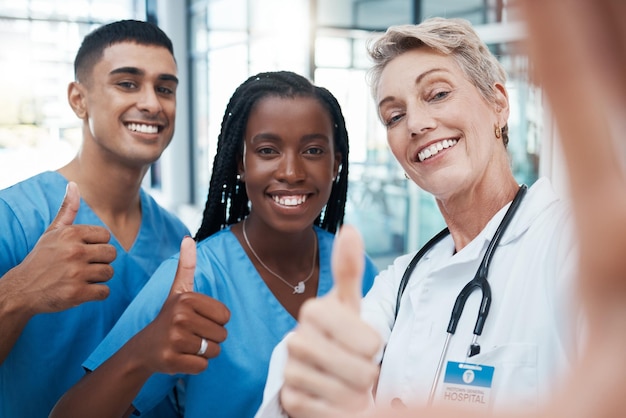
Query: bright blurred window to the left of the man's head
(38, 42)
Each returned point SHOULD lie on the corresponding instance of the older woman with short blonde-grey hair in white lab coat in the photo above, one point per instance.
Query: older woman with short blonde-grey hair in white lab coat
(442, 98)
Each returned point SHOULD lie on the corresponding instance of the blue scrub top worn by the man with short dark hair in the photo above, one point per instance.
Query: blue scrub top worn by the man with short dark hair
(46, 359)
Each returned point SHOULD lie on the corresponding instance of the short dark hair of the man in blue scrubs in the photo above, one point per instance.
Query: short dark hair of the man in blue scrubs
(130, 30)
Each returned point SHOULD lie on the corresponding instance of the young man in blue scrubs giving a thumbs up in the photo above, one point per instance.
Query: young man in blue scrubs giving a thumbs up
(78, 243)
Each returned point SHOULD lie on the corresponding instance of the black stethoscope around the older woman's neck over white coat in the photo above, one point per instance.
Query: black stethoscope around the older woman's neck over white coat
(478, 282)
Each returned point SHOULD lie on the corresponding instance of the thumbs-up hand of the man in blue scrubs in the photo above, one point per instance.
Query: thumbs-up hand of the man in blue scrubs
(67, 266)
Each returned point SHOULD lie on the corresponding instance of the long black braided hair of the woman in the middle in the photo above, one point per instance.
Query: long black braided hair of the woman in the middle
(227, 202)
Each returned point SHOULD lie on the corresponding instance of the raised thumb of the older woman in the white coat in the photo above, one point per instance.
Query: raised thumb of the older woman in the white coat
(348, 264)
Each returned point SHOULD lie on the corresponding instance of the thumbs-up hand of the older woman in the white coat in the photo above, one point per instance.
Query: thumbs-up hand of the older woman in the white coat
(331, 366)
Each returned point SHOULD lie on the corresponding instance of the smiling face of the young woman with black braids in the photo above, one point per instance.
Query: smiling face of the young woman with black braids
(289, 161)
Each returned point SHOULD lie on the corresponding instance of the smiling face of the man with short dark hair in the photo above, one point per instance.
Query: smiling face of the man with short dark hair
(128, 103)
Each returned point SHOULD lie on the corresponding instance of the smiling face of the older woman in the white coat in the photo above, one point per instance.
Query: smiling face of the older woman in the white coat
(439, 127)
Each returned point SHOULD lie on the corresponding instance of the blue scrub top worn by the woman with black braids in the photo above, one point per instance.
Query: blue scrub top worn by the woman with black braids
(232, 385)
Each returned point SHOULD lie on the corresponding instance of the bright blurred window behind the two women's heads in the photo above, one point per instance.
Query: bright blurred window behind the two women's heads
(325, 40)
